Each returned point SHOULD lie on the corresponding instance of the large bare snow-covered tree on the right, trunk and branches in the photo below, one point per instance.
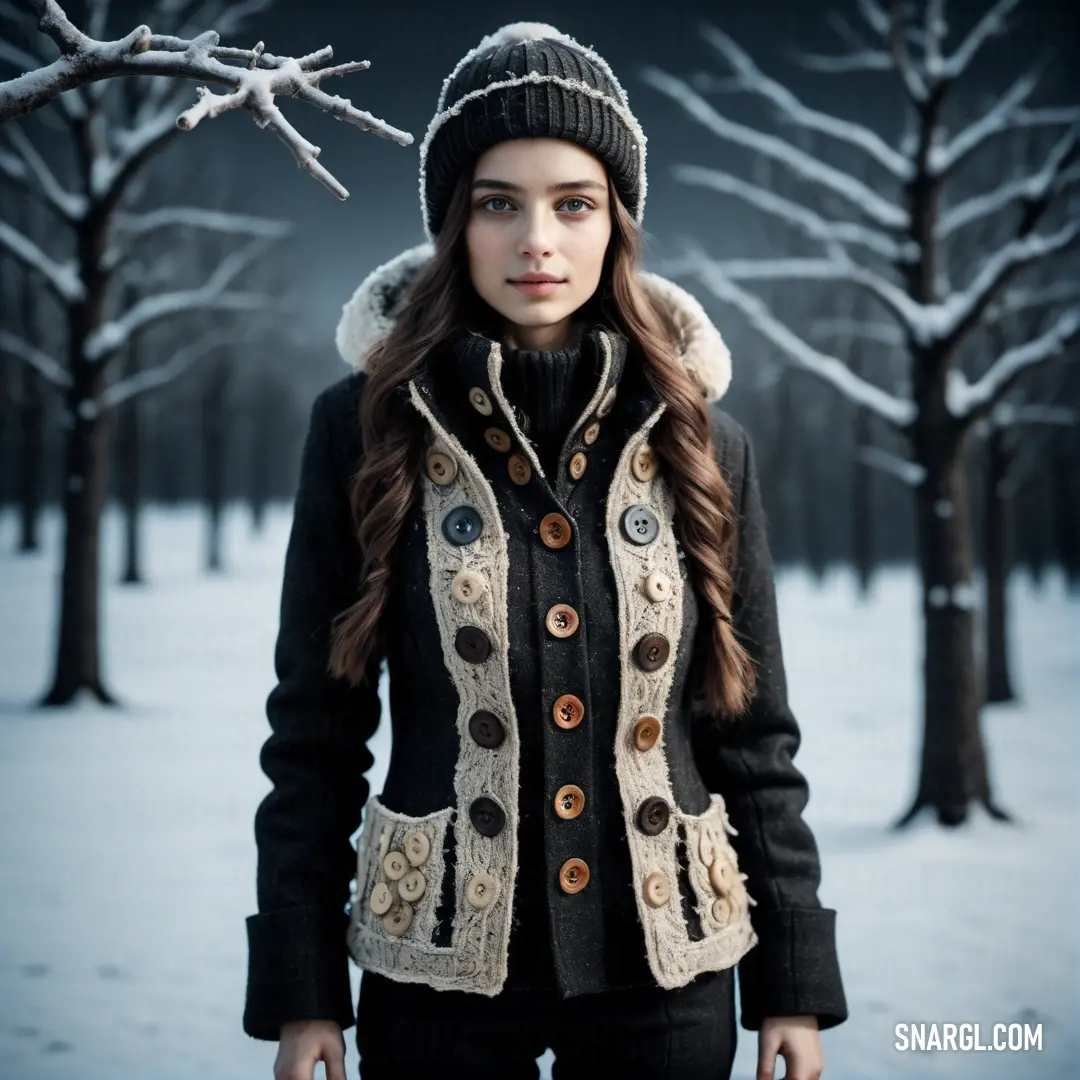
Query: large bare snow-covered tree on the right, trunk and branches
(894, 250)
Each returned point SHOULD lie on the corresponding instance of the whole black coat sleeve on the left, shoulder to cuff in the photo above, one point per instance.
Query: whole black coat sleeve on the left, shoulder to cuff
(316, 758)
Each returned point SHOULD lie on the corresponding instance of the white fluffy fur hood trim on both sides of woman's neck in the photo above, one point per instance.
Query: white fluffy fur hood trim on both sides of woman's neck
(370, 315)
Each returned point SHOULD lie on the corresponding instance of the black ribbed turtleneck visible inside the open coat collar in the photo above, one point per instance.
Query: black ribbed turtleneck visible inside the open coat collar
(549, 389)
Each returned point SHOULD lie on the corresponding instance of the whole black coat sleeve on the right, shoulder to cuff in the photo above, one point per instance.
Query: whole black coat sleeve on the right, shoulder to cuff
(794, 968)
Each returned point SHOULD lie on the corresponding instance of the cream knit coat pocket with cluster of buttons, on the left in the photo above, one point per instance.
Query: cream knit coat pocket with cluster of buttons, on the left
(400, 869)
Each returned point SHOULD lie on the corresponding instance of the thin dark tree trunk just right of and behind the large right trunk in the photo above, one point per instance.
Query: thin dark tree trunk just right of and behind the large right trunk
(996, 519)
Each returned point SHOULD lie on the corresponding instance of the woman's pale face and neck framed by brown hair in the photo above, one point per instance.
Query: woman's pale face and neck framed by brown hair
(538, 206)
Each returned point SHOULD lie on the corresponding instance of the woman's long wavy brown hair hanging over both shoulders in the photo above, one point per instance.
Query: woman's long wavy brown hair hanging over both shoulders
(394, 443)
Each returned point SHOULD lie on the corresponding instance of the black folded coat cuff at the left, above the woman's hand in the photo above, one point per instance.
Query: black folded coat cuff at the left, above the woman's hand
(298, 969)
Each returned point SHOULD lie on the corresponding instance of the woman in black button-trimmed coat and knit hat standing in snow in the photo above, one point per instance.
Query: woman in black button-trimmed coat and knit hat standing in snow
(528, 502)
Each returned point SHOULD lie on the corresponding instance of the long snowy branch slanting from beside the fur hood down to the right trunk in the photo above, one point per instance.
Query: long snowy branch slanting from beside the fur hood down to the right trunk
(896, 411)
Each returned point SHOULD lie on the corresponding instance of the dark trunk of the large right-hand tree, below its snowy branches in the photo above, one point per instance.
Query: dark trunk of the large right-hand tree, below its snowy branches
(953, 768)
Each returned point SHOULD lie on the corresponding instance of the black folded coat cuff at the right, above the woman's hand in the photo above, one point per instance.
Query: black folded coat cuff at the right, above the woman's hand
(793, 970)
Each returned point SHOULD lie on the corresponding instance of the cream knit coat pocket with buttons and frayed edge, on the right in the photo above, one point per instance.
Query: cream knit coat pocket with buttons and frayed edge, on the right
(723, 900)
